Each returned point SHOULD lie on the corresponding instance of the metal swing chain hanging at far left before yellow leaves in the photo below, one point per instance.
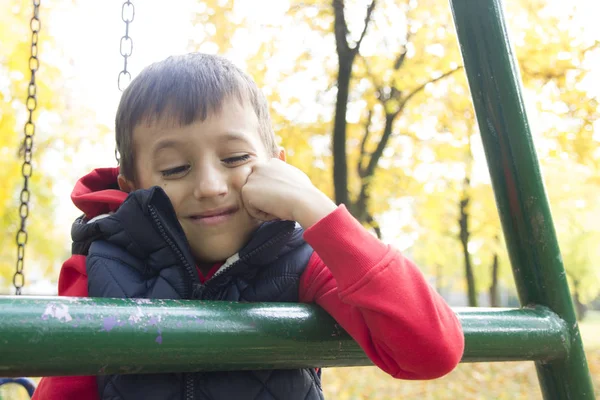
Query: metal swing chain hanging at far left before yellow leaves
(27, 149)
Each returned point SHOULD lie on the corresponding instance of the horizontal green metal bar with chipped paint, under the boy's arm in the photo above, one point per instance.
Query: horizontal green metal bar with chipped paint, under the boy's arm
(82, 336)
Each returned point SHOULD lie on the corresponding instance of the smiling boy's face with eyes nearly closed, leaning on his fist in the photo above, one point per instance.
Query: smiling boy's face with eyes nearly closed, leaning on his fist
(202, 168)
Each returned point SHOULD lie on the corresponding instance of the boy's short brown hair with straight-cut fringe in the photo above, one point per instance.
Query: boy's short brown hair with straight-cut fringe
(187, 88)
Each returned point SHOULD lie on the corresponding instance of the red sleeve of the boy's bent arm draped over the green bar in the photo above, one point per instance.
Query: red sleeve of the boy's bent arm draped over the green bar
(381, 299)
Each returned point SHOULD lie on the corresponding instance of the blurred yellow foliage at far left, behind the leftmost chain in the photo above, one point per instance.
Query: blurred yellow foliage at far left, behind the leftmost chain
(43, 247)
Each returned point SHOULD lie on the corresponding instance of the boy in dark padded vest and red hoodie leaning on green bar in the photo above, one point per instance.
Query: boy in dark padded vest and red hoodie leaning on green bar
(203, 207)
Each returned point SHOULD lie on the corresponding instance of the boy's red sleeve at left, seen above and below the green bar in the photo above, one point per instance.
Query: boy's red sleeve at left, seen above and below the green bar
(71, 282)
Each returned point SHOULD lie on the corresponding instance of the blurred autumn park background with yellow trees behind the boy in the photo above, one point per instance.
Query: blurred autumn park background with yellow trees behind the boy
(415, 170)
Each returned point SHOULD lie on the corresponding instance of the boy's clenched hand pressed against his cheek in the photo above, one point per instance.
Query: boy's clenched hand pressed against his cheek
(277, 190)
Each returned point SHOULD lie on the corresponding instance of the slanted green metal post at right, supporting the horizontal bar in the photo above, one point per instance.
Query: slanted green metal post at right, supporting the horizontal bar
(495, 85)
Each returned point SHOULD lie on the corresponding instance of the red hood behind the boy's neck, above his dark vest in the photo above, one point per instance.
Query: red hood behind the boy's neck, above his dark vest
(98, 192)
